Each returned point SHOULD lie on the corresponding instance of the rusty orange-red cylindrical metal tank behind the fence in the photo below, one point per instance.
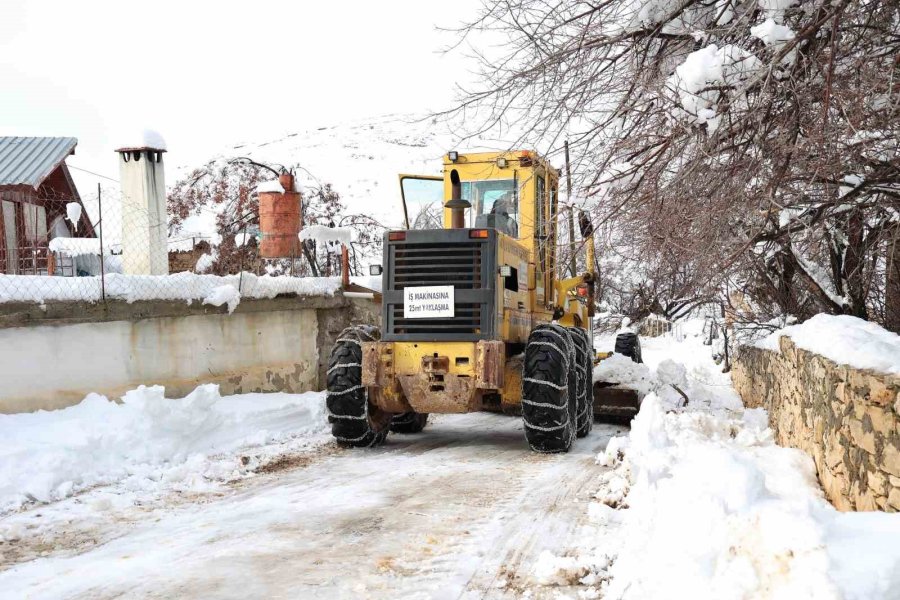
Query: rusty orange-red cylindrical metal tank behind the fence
(279, 221)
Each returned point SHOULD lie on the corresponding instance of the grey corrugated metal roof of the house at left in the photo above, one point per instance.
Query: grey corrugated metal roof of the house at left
(30, 160)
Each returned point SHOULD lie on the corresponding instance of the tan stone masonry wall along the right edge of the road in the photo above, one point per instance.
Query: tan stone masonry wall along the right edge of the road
(845, 418)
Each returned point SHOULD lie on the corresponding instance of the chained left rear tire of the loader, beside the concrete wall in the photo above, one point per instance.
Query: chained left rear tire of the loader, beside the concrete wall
(355, 422)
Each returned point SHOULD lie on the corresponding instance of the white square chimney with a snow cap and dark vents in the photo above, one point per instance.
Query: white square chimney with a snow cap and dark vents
(144, 225)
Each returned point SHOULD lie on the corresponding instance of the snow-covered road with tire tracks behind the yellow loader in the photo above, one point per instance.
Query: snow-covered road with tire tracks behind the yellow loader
(461, 510)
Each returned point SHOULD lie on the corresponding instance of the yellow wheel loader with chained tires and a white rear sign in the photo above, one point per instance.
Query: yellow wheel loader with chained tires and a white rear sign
(474, 314)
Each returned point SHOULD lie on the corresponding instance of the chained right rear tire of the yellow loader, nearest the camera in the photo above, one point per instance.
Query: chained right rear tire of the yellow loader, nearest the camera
(548, 391)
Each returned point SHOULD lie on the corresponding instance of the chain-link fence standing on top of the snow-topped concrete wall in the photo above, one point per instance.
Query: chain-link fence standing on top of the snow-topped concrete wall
(104, 247)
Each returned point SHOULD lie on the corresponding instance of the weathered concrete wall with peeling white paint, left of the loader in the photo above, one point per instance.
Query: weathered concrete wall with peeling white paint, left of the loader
(53, 357)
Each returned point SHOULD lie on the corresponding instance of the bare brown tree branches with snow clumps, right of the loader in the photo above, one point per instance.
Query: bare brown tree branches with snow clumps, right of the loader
(736, 144)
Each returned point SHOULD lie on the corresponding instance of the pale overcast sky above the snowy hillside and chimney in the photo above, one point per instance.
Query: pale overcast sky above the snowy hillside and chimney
(210, 74)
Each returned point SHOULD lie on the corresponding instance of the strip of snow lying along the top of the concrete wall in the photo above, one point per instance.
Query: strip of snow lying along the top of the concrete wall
(178, 286)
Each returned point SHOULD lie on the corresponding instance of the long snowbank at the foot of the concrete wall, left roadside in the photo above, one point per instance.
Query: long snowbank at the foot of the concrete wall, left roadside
(146, 441)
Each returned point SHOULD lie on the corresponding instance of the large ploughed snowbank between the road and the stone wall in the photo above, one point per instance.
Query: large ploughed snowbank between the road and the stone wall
(701, 503)
